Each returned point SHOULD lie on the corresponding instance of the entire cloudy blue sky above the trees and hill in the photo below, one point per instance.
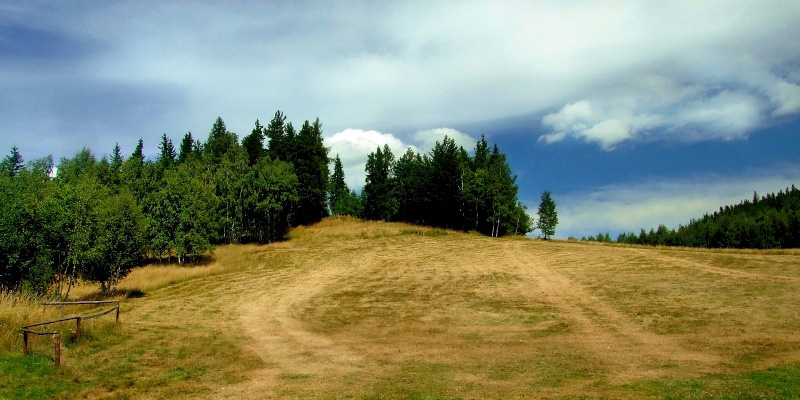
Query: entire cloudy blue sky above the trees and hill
(632, 114)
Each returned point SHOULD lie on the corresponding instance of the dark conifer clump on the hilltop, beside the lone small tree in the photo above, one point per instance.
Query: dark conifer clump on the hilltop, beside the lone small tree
(447, 188)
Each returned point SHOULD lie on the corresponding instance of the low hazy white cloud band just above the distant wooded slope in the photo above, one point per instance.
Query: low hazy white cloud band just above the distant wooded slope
(629, 208)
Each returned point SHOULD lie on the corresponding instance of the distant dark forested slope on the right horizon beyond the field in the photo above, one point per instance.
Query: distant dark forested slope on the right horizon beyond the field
(768, 222)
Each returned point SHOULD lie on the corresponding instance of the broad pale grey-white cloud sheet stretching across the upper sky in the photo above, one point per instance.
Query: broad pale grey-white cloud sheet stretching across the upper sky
(403, 65)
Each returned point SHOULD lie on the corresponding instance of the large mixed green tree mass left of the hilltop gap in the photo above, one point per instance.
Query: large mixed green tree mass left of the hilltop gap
(96, 219)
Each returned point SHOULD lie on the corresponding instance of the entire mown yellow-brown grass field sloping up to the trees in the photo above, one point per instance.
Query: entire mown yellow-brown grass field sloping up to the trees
(349, 309)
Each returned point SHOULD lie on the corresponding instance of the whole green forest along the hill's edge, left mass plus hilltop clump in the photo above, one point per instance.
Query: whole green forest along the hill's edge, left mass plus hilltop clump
(96, 219)
